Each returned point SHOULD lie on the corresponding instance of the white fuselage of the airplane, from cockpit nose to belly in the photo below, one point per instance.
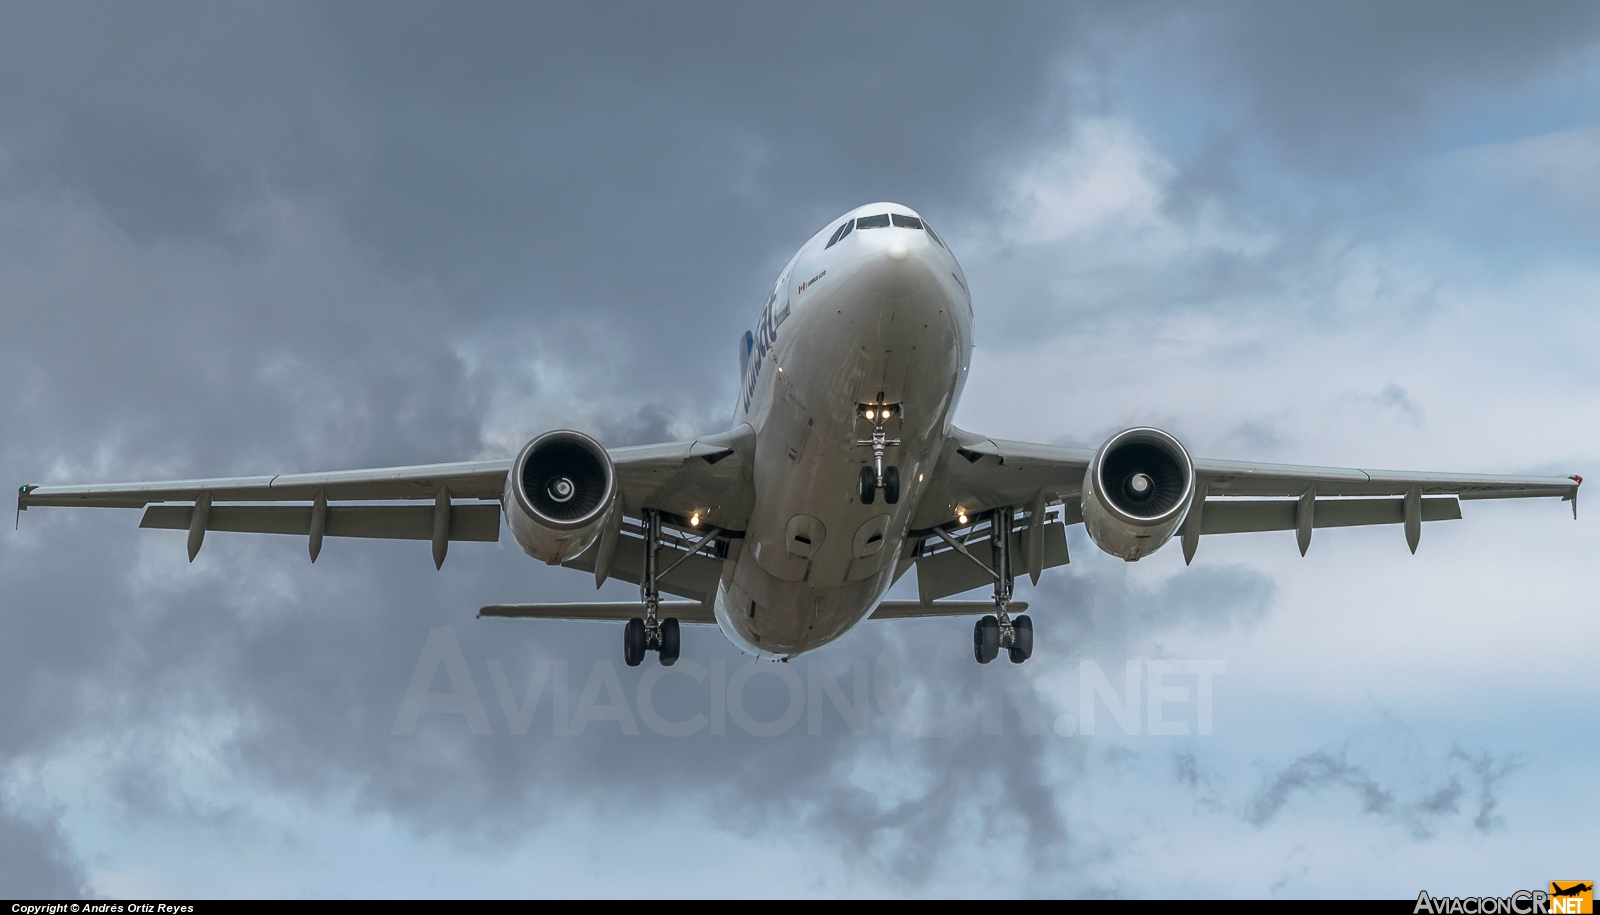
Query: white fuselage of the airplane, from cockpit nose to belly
(879, 318)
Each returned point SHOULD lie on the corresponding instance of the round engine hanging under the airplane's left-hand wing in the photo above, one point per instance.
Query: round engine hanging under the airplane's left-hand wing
(558, 495)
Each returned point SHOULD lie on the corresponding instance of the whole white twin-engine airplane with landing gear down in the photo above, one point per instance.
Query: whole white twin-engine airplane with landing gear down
(841, 473)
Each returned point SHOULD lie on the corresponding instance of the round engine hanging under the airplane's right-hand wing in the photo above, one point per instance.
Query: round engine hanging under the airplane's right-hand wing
(1137, 492)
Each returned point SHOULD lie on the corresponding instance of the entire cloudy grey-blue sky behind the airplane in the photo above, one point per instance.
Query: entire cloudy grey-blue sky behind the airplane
(270, 238)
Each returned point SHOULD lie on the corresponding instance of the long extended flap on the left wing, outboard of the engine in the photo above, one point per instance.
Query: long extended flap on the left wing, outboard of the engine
(378, 522)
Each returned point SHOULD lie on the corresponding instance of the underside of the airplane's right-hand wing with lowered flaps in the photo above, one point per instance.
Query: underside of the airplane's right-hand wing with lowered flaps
(980, 481)
